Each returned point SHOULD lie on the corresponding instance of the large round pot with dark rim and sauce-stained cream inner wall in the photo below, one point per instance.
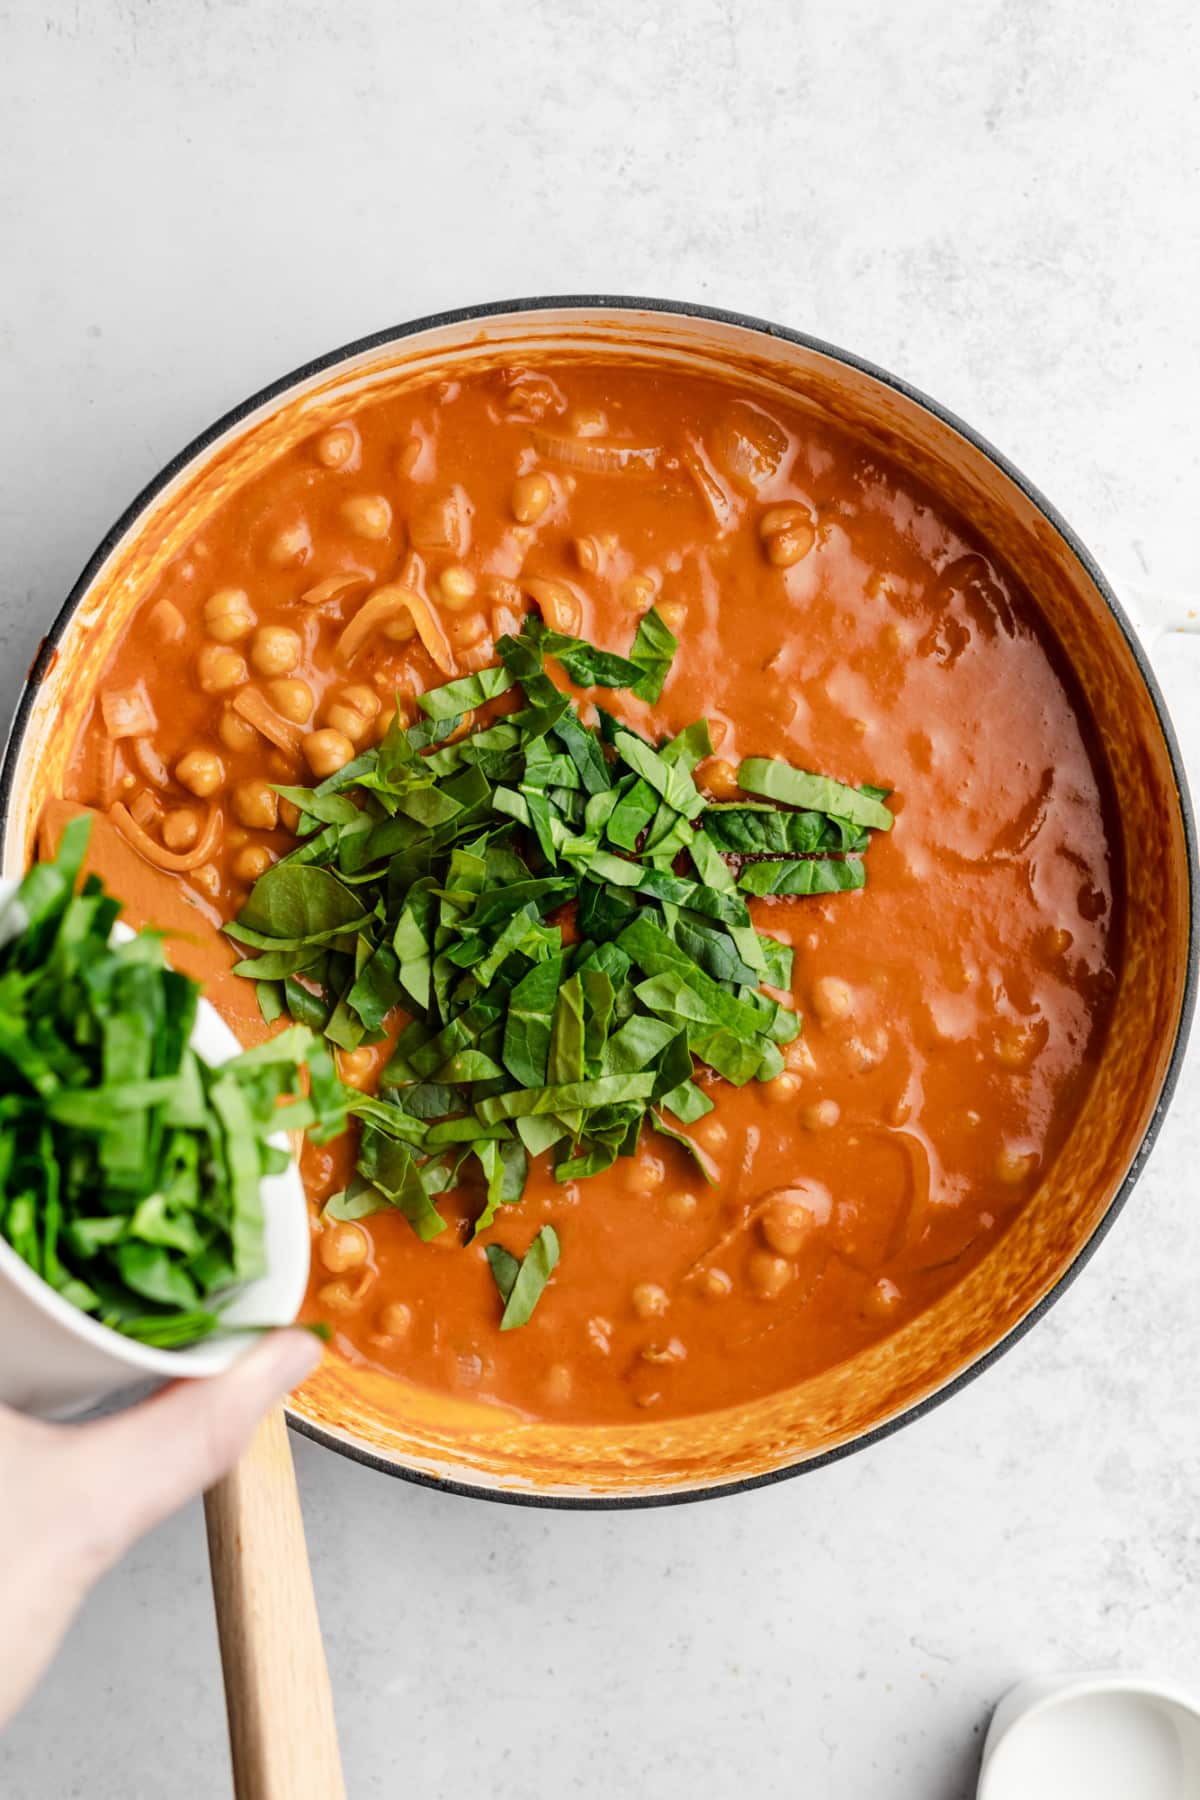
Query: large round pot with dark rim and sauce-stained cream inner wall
(481, 1450)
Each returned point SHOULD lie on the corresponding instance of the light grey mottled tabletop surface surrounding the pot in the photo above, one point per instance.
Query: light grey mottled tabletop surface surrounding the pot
(1001, 202)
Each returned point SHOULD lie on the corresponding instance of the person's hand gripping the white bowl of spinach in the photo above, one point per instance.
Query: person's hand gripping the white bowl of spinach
(73, 1498)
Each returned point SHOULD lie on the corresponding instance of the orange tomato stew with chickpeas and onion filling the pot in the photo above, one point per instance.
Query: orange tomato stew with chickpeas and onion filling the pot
(832, 613)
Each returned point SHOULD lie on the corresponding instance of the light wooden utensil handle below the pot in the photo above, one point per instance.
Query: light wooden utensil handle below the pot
(282, 1729)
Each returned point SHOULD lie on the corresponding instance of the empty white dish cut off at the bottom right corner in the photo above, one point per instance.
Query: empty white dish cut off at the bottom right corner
(1093, 1738)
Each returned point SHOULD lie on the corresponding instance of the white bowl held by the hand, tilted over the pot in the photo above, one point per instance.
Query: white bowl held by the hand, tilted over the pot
(57, 1362)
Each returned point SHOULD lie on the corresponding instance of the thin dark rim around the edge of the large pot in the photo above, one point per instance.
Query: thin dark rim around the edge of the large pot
(595, 303)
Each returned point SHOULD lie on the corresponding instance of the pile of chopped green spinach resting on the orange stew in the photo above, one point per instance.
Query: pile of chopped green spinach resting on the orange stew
(539, 1030)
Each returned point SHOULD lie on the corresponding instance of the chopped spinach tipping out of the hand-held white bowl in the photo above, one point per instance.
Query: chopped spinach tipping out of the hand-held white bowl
(130, 1169)
